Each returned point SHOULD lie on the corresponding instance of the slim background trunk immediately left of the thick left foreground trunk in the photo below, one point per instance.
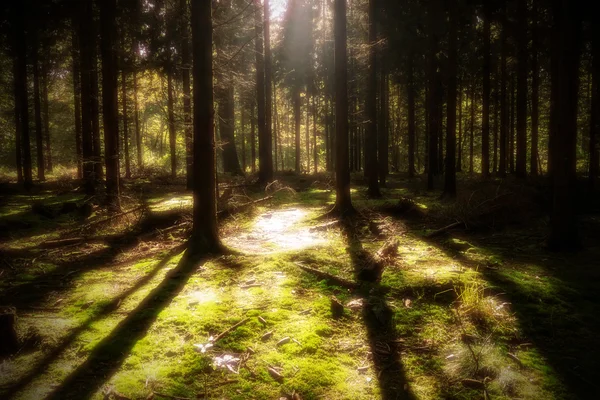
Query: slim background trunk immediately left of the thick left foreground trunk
(187, 92)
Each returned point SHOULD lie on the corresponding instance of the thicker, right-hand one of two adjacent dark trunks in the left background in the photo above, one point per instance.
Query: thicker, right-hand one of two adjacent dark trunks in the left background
(108, 11)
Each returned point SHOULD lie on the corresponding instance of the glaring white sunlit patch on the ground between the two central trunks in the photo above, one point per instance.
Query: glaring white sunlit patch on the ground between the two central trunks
(277, 231)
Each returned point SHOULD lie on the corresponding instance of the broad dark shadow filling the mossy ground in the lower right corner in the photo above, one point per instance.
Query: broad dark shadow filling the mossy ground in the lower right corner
(563, 324)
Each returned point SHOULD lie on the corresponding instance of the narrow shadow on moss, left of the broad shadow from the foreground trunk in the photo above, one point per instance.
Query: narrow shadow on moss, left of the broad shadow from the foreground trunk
(104, 311)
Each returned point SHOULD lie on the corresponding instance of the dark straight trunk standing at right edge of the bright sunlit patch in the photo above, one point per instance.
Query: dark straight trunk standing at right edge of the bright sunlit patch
(343, 201)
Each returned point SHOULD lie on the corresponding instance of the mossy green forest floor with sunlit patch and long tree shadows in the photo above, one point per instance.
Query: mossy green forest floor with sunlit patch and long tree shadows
(112, 307)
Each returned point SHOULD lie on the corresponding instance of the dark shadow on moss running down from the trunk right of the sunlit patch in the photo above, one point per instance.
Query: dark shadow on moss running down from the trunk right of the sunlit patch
(377, 317)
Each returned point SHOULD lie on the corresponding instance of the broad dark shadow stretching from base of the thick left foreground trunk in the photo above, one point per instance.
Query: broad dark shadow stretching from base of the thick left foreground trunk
(111, 352)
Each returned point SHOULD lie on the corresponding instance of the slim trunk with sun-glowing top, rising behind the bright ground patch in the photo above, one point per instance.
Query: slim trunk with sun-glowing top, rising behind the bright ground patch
(266, 175)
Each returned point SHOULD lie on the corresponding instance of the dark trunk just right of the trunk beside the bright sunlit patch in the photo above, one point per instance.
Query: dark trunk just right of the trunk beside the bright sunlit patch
(371, 104)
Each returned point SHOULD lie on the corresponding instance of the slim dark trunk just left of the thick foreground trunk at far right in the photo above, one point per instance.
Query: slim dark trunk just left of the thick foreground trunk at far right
(535, 96)
